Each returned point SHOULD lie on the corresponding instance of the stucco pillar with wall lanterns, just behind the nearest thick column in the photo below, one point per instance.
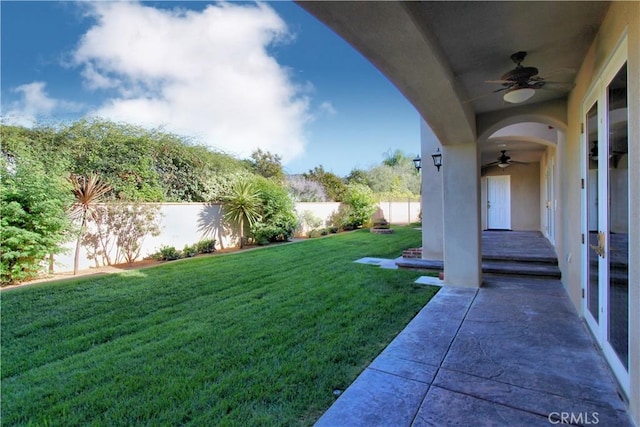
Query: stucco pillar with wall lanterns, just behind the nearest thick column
(431, 200)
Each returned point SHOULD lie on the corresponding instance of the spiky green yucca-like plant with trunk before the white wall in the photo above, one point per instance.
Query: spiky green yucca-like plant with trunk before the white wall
(243, 204)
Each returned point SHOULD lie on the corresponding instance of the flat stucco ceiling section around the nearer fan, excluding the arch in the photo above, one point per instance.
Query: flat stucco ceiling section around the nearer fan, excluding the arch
(478, 39)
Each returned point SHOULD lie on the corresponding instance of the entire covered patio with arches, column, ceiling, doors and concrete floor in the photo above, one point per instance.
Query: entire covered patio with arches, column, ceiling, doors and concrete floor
(533, 107)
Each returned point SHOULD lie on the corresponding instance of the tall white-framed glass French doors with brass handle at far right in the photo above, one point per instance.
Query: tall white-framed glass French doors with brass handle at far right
(606, 225)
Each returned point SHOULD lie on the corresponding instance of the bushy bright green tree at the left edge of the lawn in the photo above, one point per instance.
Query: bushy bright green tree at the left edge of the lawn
(33, 220)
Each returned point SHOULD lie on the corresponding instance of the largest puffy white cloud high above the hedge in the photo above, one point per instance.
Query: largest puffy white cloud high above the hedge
(207, 74)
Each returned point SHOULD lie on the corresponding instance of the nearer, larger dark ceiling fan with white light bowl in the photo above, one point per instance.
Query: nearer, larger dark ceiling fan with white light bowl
(520, 83)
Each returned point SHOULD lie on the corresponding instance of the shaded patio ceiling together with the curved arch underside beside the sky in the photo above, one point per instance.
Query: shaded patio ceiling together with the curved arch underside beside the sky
(440, 54)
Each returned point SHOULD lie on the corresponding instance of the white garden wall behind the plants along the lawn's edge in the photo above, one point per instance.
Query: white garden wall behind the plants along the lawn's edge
(187, 223)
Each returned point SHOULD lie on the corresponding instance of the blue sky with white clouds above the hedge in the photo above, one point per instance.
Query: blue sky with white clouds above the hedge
(234, 76)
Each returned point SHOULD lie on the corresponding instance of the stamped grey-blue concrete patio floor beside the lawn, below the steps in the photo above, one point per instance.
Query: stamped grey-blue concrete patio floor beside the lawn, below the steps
(512, 353)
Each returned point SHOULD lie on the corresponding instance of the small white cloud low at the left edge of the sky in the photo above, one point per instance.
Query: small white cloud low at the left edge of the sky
(34, 105)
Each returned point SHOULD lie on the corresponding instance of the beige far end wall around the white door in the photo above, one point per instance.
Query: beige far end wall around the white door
(525, 195)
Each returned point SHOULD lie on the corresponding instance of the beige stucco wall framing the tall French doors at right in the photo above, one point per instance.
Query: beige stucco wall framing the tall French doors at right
(622, 18)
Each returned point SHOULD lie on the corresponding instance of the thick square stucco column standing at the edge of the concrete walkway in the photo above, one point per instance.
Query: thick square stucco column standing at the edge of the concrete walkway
(461, 215)
